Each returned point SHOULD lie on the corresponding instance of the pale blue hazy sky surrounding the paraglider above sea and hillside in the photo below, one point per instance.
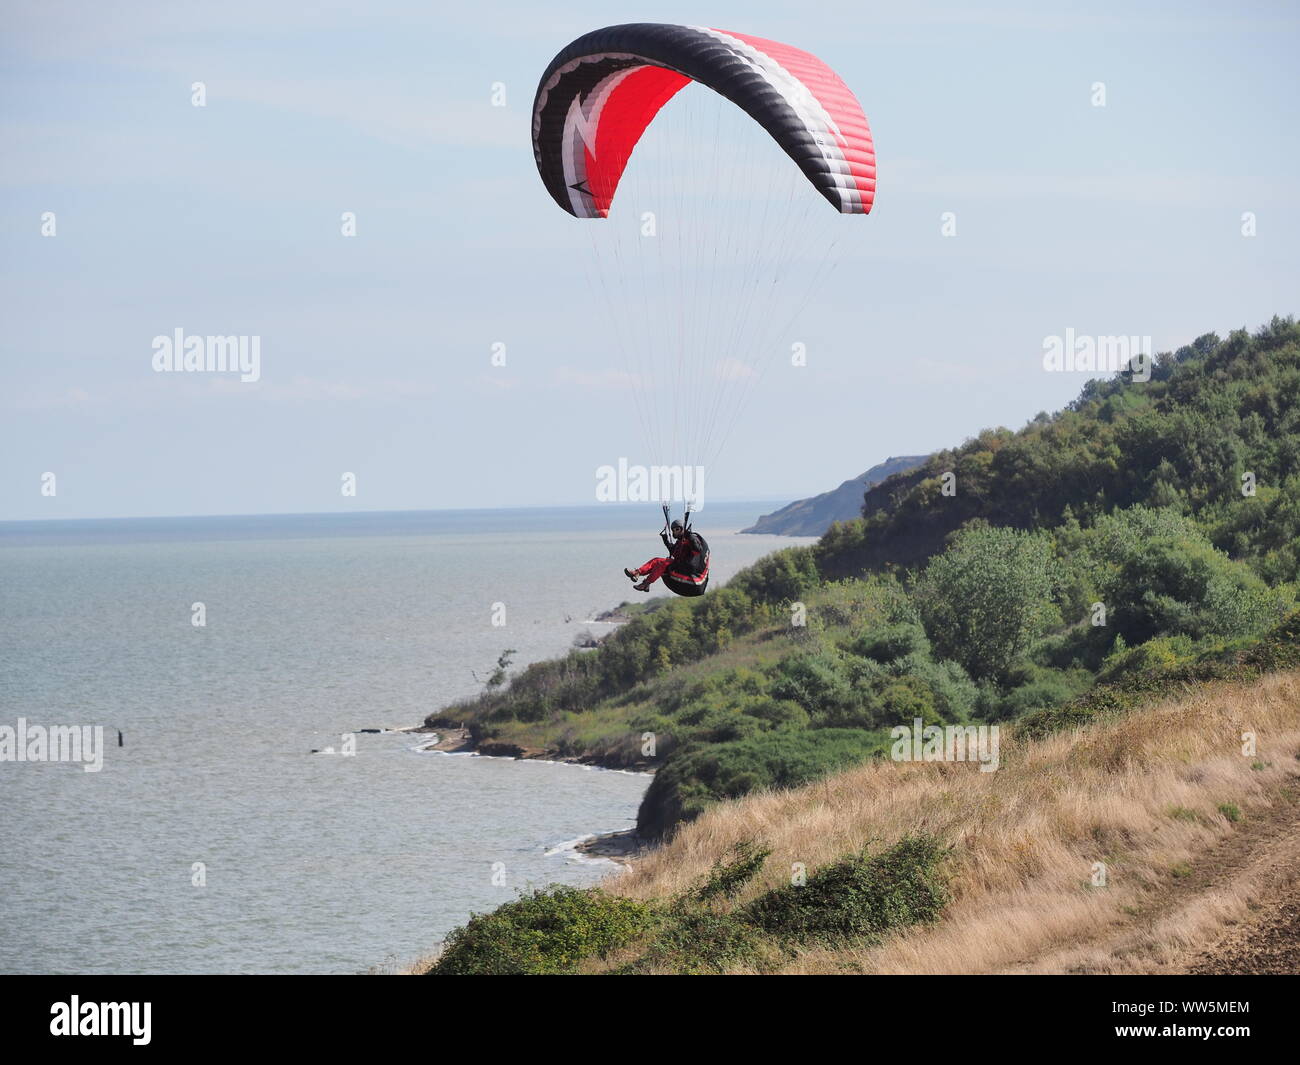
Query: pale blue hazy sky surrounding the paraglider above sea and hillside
(1124, 219)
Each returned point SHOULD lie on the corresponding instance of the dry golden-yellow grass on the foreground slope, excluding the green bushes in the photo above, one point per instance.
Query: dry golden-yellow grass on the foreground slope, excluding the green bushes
(1139, 794)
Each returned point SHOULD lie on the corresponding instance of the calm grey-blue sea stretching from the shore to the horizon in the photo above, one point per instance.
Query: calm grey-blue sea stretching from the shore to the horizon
(317, 626)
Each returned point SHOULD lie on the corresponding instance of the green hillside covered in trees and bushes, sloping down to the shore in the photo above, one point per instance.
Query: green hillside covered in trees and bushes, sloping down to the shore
(1108, 546)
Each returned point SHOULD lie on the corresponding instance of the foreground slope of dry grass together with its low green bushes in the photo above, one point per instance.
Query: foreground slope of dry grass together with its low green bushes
(1106, 850)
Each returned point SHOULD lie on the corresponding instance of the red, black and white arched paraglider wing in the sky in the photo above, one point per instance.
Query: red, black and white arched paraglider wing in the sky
(600, 94)
